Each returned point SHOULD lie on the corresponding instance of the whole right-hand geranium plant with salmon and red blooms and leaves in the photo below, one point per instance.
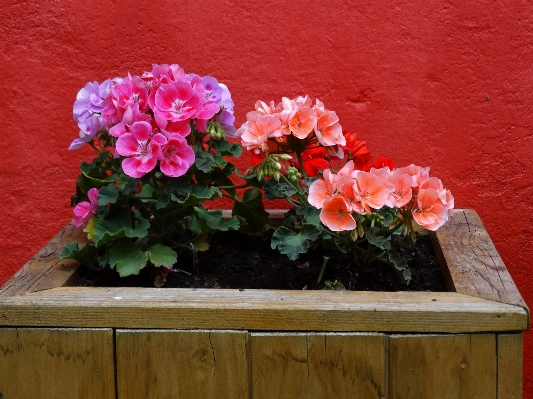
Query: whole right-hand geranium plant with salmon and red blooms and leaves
(339, 199)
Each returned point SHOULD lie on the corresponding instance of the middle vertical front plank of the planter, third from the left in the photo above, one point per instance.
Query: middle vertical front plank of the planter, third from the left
(317, 366)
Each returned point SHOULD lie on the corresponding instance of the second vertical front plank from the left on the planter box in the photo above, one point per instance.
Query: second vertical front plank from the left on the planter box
(153, 364)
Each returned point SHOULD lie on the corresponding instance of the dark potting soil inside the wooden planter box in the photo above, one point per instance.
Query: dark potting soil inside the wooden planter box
(236, 260)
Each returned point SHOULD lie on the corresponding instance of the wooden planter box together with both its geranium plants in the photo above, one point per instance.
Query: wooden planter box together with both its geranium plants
(130, 342)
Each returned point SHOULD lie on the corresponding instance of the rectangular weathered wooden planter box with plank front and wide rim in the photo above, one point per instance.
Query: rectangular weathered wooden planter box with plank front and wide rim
(61, 341)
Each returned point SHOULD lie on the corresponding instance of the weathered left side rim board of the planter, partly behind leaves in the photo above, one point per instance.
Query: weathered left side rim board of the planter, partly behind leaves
(45, 270)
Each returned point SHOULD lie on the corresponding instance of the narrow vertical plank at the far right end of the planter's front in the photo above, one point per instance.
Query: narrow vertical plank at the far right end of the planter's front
(510, 366)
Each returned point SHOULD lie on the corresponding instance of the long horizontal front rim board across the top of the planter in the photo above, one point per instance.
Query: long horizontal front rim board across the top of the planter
(261, 310)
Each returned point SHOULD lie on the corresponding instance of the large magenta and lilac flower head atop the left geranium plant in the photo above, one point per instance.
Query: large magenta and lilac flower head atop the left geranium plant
(151, 115)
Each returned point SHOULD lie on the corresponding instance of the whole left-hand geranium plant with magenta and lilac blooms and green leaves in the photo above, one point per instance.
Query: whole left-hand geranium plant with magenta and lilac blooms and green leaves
(160, 140)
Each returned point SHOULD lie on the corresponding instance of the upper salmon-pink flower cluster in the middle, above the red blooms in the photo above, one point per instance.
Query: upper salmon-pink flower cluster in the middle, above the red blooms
(271, 125)
